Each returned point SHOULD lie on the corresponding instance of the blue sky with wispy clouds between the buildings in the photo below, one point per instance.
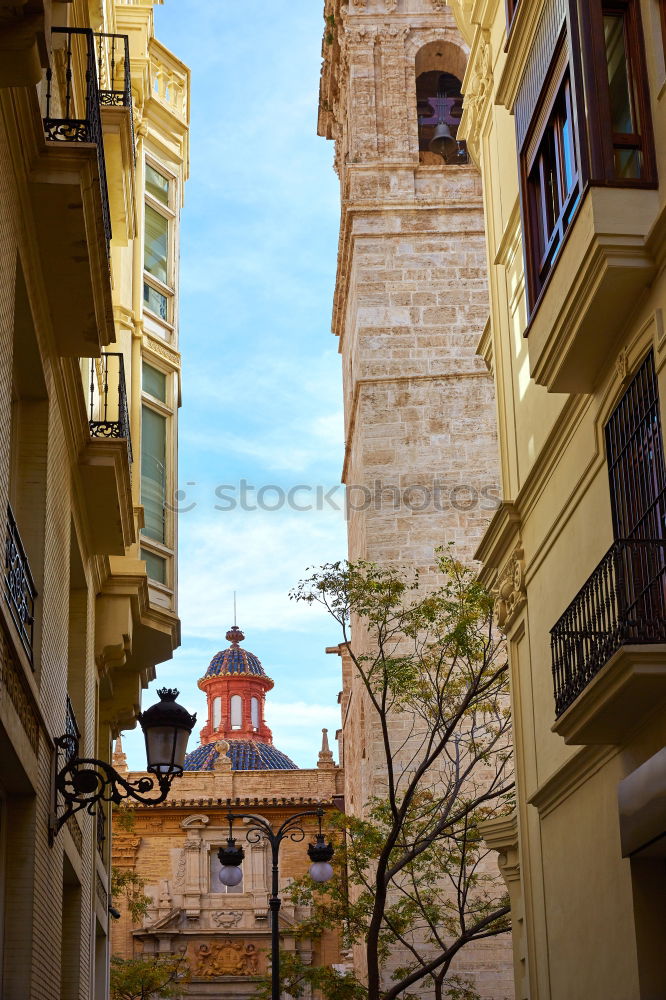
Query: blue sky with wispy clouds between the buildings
(261, 373)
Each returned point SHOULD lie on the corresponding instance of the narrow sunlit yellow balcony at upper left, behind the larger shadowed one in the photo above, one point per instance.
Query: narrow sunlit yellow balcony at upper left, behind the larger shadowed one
(115, 96)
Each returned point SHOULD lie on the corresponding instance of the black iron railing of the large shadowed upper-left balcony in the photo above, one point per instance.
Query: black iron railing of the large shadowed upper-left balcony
(64, 121)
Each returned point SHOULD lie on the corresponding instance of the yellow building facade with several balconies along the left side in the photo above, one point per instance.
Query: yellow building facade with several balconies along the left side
(93, 160)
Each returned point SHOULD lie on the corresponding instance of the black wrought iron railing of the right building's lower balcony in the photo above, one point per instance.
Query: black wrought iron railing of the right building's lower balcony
(623, 602)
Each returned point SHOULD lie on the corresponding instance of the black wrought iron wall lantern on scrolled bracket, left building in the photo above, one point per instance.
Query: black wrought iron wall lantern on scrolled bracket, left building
(83, 782)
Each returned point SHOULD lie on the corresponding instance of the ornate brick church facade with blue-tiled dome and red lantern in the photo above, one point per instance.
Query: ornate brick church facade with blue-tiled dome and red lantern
(224, 932)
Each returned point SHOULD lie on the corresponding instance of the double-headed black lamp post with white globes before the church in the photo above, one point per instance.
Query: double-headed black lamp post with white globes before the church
(231, 858)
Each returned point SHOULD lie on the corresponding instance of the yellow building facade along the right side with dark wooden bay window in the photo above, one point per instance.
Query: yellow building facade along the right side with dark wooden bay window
(564, 113)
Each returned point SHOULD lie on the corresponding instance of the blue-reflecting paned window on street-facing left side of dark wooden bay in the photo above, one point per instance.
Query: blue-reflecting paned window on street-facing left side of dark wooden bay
(553, 186)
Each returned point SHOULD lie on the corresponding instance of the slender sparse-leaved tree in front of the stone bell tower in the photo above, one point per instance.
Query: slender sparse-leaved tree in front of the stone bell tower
(411, 878)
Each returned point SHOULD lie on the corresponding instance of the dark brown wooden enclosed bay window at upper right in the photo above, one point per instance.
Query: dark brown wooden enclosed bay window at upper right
(582, 117)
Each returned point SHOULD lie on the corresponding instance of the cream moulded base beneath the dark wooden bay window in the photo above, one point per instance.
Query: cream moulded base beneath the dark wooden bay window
(603, 265)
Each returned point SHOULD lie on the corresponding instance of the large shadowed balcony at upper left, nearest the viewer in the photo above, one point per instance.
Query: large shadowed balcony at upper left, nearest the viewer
(70, 199)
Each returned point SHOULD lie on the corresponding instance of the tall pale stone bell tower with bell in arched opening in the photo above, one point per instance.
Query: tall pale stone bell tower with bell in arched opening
(411, 315)
